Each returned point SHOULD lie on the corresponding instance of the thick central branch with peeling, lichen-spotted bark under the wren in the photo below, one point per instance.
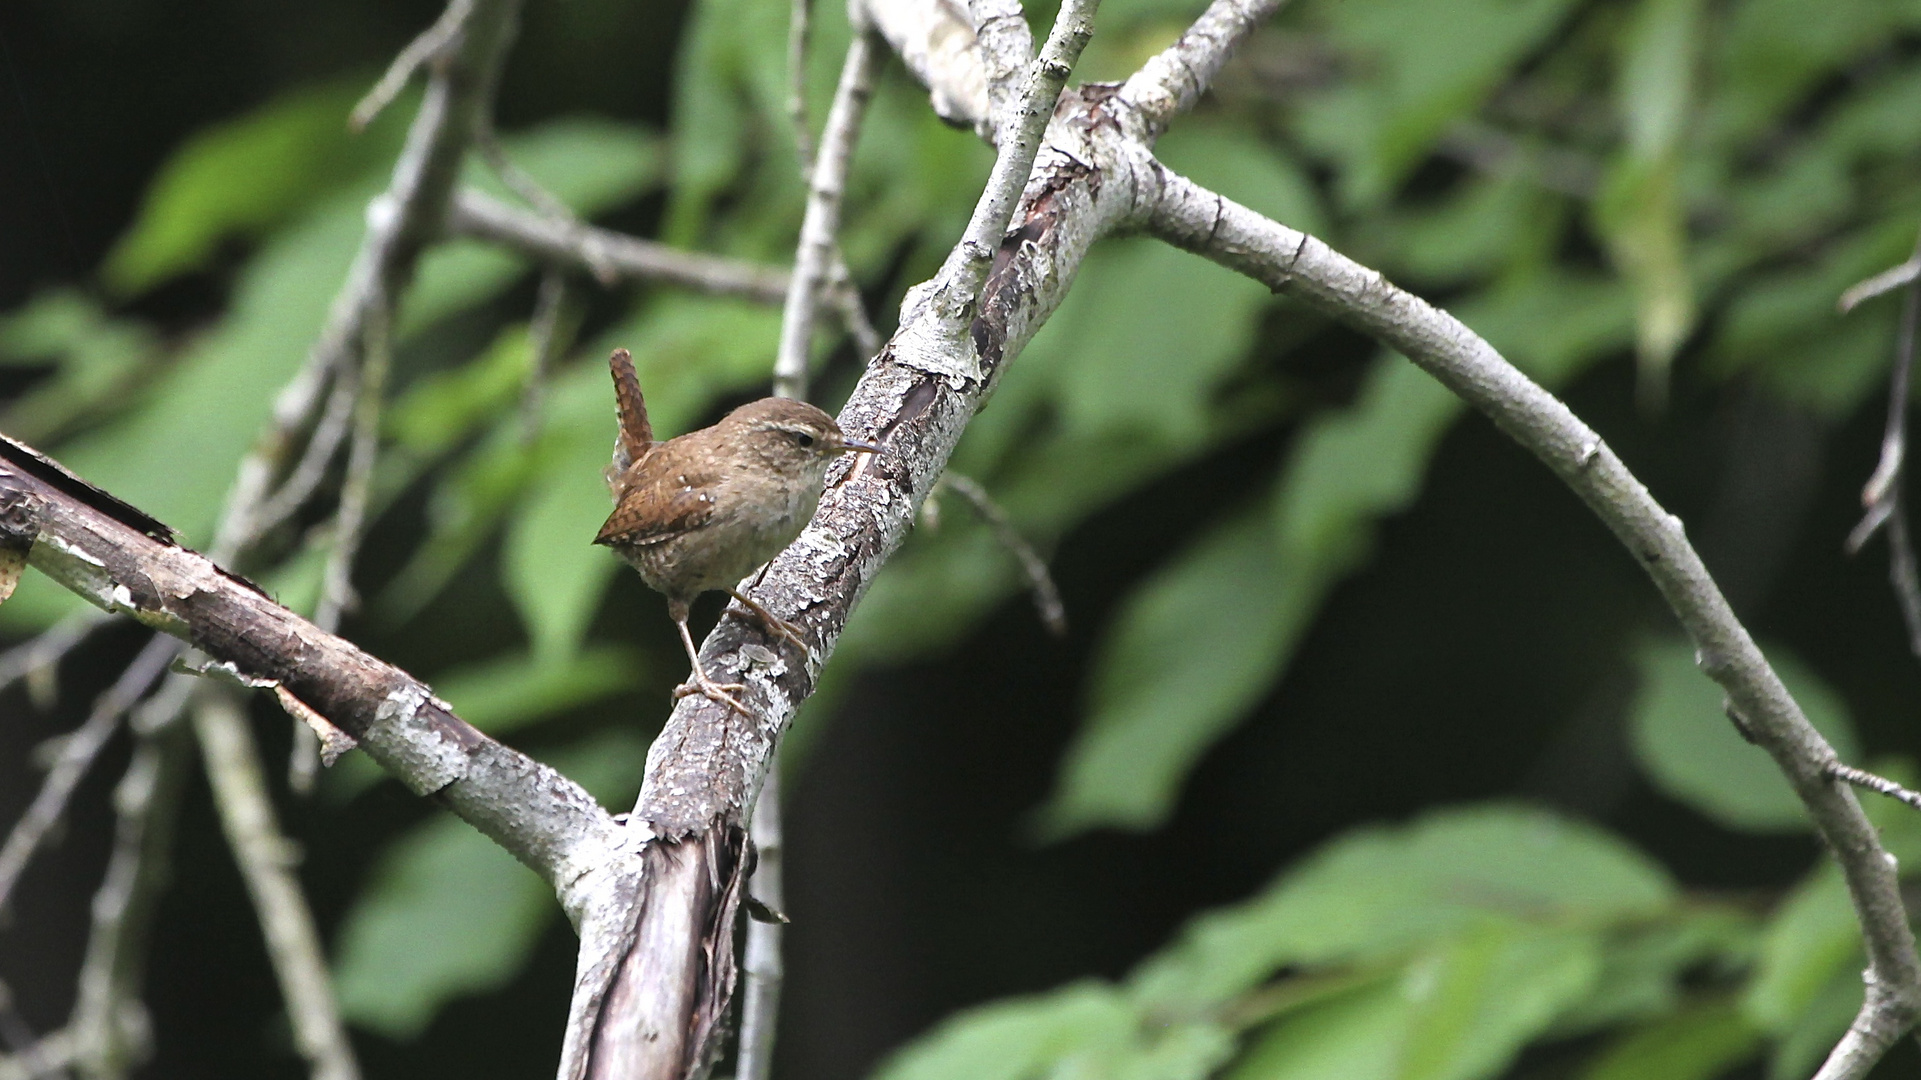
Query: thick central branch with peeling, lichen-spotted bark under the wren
(650, 1010)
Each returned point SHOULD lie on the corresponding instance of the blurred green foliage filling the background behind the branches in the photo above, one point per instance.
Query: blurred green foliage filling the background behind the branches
(1578, 182)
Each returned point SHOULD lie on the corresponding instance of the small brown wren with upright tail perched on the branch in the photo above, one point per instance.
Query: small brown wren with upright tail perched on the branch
(702, 512)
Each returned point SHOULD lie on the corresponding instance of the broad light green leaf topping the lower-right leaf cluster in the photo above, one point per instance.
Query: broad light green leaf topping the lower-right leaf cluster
(1380, 893)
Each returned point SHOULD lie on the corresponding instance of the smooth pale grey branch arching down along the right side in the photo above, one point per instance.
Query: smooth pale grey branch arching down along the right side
(1282, 258)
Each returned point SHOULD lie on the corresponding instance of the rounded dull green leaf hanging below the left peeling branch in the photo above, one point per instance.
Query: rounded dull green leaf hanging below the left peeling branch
(445, 914)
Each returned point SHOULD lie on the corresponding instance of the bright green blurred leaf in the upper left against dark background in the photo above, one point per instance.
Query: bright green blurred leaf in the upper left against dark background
(245, 178)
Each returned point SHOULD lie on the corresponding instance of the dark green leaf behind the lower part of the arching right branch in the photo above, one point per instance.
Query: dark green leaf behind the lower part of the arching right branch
(1693, 754)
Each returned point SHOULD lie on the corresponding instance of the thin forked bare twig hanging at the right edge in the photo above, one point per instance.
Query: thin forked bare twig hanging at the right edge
(1887, 504)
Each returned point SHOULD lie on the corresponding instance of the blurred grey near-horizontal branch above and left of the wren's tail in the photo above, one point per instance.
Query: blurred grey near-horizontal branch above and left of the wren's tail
(585, 247)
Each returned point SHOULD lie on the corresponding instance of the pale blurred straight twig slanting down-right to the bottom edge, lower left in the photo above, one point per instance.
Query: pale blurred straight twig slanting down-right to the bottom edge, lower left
(268, 860)
